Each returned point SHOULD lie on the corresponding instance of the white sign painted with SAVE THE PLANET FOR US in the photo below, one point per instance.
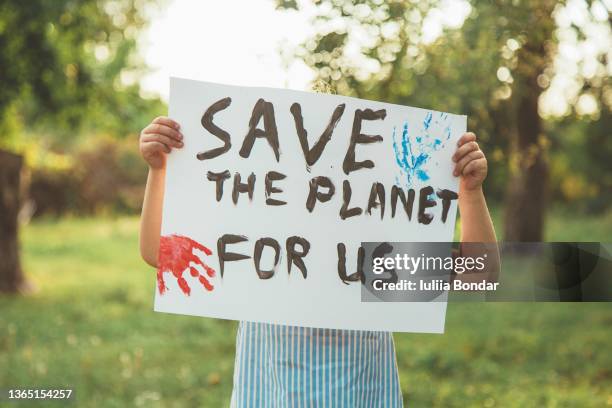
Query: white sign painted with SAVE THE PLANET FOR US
(267, 204)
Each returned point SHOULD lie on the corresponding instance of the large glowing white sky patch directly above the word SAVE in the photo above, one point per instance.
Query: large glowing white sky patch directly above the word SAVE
(231, 41)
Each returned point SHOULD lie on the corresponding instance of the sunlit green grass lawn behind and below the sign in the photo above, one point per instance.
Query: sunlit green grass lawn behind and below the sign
(90, 326)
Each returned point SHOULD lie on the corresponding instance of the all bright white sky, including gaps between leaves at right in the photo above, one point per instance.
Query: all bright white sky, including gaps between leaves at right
(240, 42)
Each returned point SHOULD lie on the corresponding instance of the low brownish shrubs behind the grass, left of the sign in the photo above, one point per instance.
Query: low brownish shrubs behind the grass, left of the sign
(101, 176)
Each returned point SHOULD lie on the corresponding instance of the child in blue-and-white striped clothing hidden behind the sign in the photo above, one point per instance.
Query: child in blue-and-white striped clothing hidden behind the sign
(295, 366)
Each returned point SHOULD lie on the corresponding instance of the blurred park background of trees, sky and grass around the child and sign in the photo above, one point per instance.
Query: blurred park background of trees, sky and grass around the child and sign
(80, 79)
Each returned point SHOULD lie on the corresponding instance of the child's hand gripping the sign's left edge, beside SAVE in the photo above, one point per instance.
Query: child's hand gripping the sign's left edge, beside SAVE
(158, 139)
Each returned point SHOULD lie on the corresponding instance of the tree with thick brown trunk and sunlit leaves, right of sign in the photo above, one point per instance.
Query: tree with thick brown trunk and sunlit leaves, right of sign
(494, 65)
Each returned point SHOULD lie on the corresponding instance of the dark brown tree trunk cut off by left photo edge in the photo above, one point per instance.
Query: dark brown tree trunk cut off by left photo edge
(11, 275)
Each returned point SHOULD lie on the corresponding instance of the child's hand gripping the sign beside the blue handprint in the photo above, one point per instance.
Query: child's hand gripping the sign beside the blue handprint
(471, 163)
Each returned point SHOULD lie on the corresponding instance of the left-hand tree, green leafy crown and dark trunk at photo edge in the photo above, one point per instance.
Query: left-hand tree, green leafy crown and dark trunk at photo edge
(61, 67)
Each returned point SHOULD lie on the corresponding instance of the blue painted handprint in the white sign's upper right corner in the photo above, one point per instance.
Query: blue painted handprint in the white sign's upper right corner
(412, 155)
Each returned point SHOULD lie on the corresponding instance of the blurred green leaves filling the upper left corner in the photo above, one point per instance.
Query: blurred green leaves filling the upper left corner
(68, 67)
